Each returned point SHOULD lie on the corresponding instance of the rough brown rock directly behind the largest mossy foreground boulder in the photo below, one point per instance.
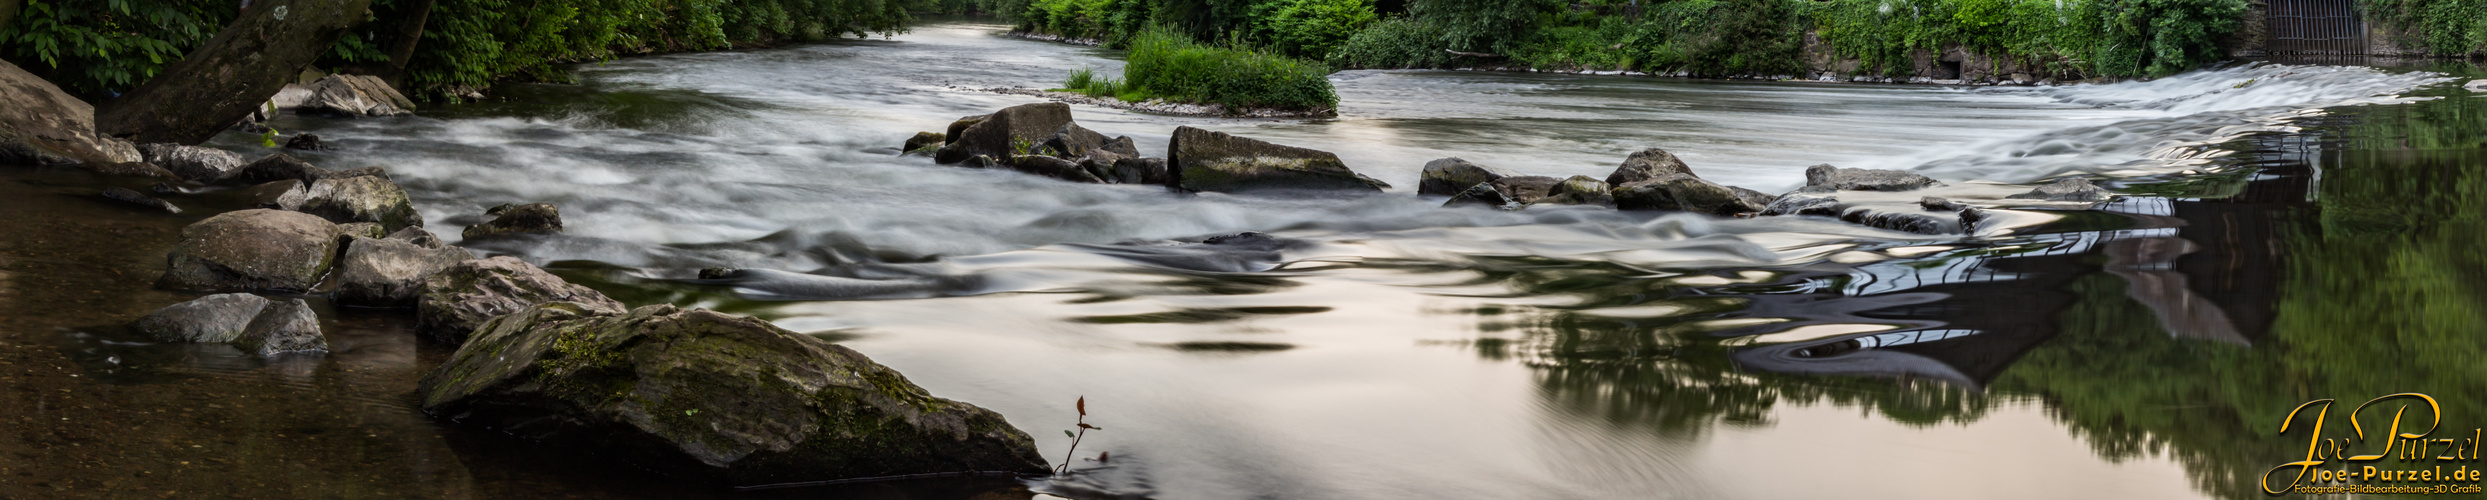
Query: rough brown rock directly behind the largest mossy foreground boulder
(461, 297)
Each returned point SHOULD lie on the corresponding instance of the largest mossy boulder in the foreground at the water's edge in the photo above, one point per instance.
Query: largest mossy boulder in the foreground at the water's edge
(717, 397)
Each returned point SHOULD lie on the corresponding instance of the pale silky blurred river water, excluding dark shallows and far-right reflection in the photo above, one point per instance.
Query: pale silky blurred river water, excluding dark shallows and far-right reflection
(1384, 347)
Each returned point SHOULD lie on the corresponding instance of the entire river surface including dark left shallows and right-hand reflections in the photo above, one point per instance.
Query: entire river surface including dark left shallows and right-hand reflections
(1387, 347)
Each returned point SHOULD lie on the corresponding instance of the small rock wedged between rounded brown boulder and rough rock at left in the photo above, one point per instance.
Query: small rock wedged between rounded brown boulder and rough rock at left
(392, 272)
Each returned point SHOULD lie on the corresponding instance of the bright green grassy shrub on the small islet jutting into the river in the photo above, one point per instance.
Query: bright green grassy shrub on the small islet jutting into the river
(1168, 66)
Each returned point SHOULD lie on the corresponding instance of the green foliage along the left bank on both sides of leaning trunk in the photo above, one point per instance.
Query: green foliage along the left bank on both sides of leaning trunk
(96, 49)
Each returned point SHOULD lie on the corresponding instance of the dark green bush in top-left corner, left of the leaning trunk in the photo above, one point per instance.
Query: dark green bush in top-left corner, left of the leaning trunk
(96, 49)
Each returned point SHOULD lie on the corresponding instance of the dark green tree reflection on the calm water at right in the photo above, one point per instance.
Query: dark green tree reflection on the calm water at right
(2374, 292)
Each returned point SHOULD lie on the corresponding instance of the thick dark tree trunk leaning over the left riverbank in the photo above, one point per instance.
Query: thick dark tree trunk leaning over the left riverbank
(233, 73)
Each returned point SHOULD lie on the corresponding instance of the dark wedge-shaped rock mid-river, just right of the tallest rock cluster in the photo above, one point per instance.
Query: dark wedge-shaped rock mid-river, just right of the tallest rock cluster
(1205, 160)
